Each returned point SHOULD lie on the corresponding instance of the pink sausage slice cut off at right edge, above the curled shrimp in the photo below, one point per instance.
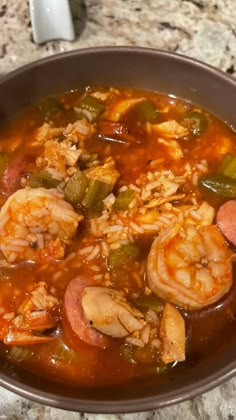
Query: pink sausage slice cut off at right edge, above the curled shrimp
(226, 220)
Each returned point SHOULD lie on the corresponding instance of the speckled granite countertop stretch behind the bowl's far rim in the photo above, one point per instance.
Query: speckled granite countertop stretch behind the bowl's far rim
(205, 29)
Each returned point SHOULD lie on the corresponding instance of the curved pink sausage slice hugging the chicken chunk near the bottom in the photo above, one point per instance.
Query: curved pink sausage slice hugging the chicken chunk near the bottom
(74, 314)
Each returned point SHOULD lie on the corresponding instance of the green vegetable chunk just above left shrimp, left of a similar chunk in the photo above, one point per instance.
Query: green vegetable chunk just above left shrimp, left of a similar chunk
(75, 188)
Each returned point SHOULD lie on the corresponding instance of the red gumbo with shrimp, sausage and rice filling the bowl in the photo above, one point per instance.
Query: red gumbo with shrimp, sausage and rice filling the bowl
(116, 236)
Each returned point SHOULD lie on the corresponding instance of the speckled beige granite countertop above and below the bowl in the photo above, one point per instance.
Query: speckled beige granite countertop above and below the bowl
(204, 29)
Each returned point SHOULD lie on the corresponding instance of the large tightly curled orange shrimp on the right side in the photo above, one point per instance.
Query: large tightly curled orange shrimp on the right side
(189, 265)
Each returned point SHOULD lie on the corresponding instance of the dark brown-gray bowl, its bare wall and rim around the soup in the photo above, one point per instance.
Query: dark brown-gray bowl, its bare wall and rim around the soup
(140, 68)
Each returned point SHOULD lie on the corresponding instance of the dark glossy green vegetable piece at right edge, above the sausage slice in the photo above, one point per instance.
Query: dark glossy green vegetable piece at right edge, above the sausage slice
(221, 185)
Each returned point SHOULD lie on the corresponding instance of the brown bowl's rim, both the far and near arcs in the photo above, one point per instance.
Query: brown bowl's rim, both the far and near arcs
(133, 404)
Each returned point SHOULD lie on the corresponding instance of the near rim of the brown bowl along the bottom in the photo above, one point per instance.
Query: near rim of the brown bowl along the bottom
(133, 405)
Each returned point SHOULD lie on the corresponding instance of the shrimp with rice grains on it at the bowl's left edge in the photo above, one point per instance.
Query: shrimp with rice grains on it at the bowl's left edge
(35, 223)
